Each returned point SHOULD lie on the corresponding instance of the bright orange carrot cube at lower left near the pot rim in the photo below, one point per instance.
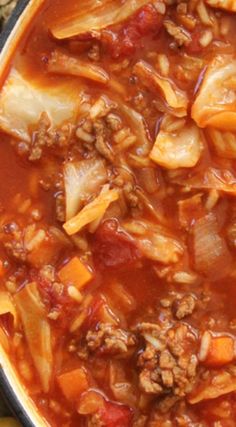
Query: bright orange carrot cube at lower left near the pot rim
(73, 383)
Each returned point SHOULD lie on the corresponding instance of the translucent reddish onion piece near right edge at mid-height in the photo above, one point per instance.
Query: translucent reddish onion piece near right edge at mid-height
(211, 255)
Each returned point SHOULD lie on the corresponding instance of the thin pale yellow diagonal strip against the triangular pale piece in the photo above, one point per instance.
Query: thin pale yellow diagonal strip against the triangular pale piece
(94, 210)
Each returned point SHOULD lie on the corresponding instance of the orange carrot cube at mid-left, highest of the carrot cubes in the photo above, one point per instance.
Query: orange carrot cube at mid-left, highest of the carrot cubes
(75, 273)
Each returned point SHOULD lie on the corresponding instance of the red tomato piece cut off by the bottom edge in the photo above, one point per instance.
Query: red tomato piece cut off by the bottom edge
(115, 415)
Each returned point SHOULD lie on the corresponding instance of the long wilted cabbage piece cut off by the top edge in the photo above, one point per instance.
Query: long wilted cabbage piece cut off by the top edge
(89, 15)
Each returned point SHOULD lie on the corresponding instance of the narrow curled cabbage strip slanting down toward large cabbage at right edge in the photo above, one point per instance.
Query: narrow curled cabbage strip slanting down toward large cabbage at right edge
(175, 98)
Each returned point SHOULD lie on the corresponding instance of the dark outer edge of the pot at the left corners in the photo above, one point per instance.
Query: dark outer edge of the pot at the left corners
(6, 390)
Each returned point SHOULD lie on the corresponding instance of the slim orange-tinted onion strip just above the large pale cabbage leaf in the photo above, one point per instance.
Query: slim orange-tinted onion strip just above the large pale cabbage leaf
(62, 63)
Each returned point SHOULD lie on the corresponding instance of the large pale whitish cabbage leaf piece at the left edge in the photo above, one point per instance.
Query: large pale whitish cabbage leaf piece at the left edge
(22, 102)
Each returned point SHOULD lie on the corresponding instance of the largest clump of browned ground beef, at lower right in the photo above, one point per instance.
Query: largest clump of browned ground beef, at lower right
(169, 360)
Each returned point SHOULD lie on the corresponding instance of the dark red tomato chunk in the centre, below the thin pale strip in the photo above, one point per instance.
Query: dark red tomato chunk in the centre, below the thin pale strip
(114, 248)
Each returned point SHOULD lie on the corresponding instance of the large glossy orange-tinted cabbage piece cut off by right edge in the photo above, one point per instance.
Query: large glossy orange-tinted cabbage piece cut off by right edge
(215, 104)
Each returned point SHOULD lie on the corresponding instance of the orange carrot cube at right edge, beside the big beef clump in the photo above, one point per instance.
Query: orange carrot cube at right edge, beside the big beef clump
(221, 351)
